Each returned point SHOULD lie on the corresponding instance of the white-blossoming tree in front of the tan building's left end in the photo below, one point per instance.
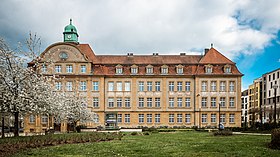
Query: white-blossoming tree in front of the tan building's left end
(26, 91)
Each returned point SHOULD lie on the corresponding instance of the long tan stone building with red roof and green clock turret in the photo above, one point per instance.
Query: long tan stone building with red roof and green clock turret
(144, 90)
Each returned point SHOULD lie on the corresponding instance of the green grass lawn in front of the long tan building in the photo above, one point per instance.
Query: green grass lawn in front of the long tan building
(165, 144)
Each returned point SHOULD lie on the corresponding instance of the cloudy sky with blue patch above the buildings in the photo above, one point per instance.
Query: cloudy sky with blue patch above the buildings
(246, 31)
